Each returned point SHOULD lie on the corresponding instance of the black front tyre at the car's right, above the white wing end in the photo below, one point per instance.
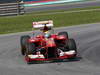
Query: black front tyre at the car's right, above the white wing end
(72, 45)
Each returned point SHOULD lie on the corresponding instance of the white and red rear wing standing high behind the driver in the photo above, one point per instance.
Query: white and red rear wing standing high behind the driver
(42, 24)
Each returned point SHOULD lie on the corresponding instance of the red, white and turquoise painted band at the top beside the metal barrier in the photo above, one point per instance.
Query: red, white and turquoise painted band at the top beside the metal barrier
(46, 2)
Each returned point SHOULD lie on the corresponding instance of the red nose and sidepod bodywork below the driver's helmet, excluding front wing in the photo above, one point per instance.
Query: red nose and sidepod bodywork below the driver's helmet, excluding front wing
(46, 42)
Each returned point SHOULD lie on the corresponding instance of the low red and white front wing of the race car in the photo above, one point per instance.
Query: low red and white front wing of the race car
(40, 57)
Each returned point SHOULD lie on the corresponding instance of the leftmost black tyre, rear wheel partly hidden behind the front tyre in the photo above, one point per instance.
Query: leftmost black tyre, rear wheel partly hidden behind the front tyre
(23, 41)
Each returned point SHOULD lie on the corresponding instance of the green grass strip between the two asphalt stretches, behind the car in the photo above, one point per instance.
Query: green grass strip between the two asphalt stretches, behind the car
(24, 22)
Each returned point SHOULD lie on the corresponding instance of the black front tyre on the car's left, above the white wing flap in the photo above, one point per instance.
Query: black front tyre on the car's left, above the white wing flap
(31, 49)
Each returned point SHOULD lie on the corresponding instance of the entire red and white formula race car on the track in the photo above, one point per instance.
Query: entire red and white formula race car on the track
(47, 46)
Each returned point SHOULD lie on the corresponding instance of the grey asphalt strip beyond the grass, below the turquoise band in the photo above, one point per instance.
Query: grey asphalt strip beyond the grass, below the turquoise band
(65, 6)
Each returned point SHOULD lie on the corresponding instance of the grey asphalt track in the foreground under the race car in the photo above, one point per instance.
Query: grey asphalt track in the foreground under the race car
(87, 38)
